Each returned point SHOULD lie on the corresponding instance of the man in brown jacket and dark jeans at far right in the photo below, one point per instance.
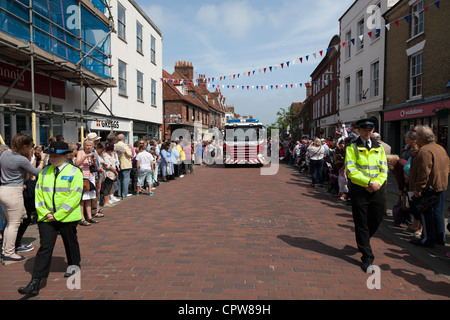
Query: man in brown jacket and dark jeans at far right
(429, 168)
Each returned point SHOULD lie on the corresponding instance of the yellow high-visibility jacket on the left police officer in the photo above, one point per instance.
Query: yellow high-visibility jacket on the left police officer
(61, 196)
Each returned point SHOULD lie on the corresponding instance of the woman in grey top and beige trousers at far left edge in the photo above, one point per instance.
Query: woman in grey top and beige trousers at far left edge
(14, 164)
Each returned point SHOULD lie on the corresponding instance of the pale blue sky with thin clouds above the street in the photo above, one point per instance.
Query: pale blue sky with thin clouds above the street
(223, 38)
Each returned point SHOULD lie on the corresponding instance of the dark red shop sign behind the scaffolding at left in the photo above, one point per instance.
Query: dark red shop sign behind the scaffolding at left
(9, 73)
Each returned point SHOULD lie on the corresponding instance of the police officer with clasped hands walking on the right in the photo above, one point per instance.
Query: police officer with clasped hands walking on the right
(366, 165)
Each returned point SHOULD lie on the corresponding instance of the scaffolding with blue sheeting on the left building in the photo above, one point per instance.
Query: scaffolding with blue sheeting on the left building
(48, 48)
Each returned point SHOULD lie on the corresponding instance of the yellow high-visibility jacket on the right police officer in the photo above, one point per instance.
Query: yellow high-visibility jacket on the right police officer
(365, 165)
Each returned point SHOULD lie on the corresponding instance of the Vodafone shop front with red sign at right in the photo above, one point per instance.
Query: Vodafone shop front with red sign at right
(399, 121)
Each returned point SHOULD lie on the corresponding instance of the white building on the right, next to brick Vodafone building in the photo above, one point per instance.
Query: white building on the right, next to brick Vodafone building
(362, 29)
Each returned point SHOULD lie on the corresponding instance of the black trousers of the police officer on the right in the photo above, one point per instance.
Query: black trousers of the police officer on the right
(368, 210)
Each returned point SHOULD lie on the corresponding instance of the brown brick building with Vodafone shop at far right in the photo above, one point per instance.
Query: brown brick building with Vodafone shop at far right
(417, 76)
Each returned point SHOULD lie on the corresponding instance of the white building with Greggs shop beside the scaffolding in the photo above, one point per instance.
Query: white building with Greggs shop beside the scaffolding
(136, 103)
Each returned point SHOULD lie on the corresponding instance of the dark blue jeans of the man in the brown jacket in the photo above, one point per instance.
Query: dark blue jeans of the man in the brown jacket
(434, 223)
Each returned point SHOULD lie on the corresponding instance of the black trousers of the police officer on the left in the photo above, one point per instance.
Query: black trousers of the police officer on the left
(48, 232)
